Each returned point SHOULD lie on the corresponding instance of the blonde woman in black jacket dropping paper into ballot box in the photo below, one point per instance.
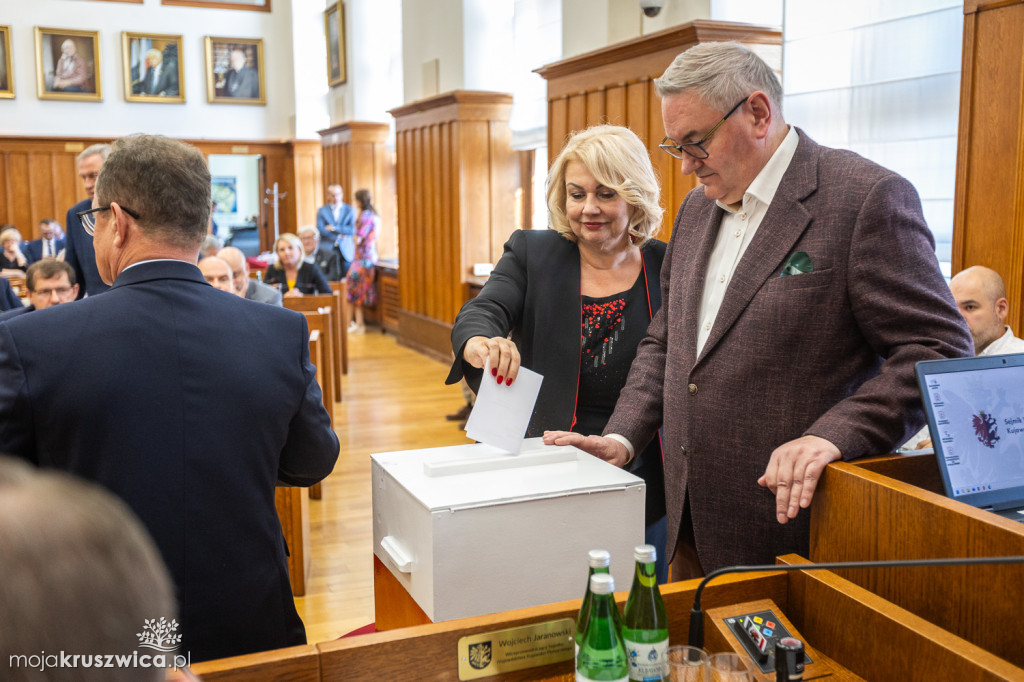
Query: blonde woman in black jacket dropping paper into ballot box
(577, 300)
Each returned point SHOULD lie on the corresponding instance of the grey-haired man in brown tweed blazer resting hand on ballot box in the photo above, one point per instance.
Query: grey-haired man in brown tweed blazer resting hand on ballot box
(799, 290)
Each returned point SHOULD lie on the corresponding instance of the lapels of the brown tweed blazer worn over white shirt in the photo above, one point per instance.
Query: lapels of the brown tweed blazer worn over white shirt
(784, 224)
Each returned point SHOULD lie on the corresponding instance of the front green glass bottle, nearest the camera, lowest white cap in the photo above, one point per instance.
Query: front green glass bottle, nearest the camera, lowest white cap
(603, 655)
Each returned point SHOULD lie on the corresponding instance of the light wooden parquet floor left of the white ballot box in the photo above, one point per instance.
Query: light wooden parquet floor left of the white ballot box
(395, 399)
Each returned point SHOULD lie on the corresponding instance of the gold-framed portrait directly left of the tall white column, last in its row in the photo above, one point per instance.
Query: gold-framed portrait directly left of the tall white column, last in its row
(235, 71)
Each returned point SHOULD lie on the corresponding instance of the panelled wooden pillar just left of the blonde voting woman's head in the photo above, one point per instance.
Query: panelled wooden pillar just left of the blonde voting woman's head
(457, 180)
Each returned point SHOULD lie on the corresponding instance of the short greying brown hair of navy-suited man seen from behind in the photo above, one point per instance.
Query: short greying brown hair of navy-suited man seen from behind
(165, 182)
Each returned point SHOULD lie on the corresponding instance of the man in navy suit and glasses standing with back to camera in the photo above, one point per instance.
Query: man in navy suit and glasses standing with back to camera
(149, 404)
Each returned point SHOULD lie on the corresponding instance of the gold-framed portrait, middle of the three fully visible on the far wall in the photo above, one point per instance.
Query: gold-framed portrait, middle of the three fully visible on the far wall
(154, 68)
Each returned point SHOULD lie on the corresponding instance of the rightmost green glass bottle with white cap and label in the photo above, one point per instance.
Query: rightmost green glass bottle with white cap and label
(646, 626)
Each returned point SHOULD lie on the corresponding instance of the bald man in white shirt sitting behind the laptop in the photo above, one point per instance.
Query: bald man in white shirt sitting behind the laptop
(982, 299)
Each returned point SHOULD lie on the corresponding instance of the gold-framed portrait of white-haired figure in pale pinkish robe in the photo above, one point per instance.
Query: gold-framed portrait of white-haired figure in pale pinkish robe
(68, 65)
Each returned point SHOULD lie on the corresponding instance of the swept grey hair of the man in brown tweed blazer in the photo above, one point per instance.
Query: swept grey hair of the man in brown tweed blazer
(721, 74)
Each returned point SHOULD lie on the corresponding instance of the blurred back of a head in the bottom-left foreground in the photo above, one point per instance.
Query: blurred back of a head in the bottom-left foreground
(70, 548)
